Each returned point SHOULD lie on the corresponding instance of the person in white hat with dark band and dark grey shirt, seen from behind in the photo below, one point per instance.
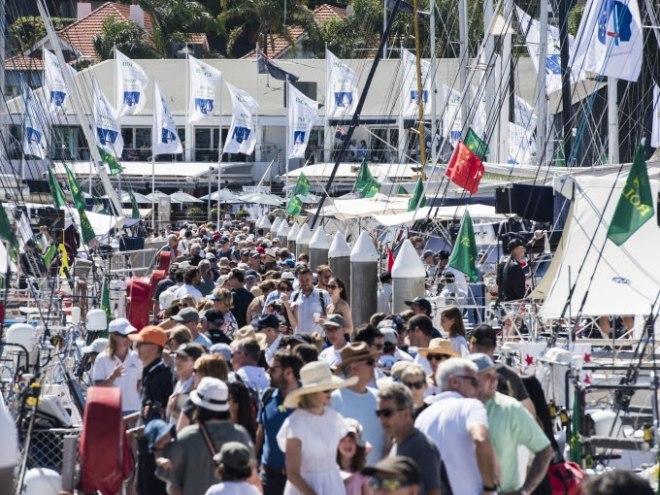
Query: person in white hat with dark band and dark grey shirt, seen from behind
(191, 454)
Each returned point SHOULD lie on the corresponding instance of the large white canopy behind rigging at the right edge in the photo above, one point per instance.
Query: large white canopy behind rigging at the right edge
(626, 280)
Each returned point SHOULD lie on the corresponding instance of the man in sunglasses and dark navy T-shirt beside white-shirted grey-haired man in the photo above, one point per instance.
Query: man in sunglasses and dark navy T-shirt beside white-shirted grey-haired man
(395, 411)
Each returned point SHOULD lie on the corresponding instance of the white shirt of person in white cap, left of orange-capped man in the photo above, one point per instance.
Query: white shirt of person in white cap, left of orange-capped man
(128, 383)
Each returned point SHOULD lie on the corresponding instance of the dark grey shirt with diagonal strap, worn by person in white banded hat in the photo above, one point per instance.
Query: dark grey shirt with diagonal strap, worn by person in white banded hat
(193, 469)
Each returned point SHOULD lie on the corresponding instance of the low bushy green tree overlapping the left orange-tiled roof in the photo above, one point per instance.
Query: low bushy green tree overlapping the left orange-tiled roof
(128, 37)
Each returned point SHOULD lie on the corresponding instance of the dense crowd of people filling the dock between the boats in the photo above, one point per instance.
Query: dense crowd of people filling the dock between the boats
(254, 378)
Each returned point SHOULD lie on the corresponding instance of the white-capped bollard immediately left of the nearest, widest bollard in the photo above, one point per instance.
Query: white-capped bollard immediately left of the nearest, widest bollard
(364, 281)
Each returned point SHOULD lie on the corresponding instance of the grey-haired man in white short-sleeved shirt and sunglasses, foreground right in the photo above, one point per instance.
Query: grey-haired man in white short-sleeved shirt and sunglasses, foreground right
(457, 423)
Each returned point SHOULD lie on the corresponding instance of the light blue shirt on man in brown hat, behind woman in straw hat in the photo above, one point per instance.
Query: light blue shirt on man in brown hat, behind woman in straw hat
(362, 407)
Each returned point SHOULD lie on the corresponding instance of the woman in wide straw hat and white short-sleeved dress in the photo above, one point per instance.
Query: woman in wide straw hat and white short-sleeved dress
(310, 436)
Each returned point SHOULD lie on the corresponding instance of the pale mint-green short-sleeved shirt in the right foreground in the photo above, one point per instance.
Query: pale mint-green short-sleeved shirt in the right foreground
(511, 425)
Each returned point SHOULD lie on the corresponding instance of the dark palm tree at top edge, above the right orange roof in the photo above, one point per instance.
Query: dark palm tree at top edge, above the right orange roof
(261, 21)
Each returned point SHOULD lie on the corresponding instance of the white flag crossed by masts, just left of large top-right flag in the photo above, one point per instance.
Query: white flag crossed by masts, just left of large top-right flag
(531, 29)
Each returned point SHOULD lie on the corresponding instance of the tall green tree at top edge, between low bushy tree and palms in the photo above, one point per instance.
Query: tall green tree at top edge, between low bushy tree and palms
(174, 21)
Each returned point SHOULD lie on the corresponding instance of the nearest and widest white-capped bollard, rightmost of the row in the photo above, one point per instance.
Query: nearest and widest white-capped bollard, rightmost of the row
(408, 277)
